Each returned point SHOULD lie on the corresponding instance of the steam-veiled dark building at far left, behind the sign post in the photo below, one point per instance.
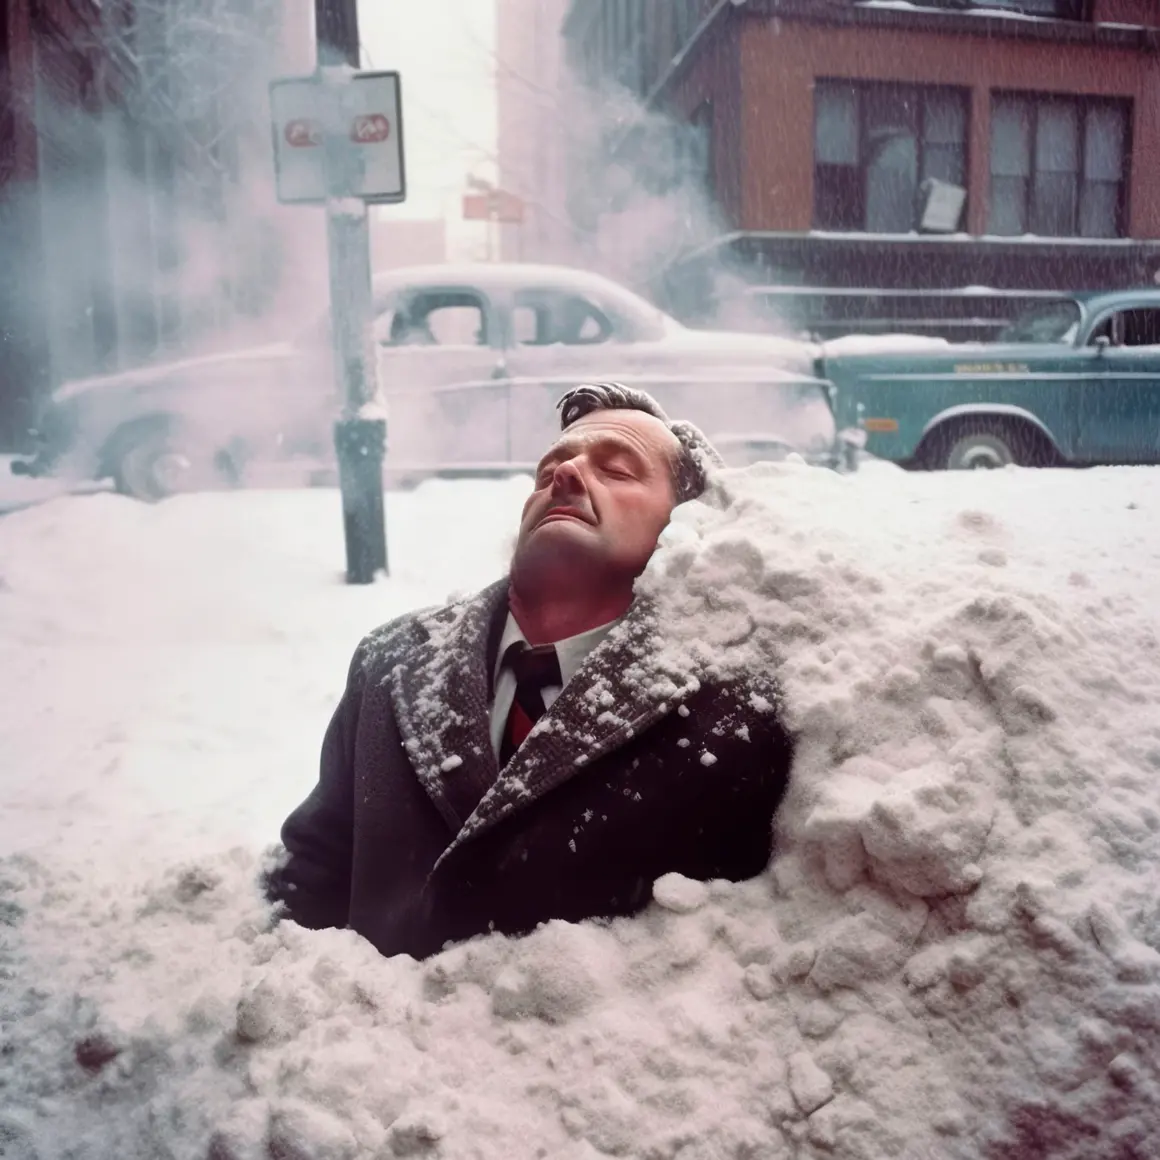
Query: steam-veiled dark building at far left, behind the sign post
(137, 215)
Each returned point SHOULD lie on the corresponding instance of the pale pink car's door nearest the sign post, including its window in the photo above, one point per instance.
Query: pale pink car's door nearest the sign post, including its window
(440, 353)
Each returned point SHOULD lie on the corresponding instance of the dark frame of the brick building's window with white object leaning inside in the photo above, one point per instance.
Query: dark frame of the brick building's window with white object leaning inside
(920, 93)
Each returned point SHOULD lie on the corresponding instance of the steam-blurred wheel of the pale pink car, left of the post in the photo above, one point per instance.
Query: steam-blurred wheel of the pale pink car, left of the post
(159, 460)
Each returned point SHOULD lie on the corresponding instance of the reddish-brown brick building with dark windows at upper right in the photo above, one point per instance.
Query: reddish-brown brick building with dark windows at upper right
(860, 151)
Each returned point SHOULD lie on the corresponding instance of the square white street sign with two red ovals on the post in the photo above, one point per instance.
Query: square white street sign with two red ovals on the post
(342, 139)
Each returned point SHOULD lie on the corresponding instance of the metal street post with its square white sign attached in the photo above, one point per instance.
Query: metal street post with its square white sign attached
(338, 142)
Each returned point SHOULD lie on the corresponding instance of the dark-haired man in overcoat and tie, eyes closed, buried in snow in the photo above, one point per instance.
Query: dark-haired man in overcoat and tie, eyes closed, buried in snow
(530, 753)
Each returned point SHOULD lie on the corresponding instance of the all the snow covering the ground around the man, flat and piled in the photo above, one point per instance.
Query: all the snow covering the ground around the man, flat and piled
(956, 953)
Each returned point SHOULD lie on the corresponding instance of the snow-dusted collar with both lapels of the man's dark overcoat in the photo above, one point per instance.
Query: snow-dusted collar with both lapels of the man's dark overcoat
(443, 694)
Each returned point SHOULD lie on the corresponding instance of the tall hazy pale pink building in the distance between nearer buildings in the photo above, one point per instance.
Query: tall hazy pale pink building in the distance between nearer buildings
(534, 130)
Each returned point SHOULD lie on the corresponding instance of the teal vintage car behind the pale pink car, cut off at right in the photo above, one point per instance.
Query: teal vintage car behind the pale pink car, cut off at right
(1074, 381)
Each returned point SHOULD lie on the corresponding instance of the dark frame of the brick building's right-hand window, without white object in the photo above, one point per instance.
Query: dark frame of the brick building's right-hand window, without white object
(1083, 106)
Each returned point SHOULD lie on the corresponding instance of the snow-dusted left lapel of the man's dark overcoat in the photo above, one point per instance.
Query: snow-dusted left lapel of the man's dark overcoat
(441, 695)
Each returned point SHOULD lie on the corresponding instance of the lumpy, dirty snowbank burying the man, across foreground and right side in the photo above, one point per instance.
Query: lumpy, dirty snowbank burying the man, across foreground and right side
(955, 954)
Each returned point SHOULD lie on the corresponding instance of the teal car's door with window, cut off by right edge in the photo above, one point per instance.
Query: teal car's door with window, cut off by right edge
(1120, 409)
